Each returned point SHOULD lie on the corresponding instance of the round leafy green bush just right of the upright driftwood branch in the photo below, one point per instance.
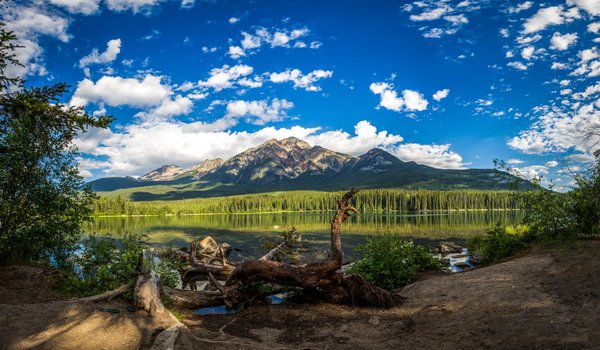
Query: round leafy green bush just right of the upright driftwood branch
(390, 262)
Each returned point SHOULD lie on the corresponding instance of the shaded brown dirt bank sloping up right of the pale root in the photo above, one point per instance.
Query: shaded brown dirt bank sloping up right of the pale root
(544, 300)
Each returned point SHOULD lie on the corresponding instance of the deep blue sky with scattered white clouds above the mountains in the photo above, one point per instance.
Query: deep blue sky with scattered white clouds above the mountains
(452, 84)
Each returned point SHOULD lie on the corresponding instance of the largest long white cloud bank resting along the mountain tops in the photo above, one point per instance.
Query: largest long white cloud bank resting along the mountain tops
(138, 148)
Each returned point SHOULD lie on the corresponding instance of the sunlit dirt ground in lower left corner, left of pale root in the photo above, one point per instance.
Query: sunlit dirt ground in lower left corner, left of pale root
(34, 316)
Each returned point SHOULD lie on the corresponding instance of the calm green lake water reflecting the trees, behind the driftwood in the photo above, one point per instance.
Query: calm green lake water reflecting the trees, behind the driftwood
(246, 231)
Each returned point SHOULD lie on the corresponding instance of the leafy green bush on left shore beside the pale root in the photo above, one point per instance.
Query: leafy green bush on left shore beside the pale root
(105, 263)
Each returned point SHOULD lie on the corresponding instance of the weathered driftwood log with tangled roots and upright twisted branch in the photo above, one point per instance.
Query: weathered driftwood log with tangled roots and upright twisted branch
(320, 281)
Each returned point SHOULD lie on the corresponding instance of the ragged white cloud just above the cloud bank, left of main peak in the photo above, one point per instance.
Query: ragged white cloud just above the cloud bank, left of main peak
(259, 112)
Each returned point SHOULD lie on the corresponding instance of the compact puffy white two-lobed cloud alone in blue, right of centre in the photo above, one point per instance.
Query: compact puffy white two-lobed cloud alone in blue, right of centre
(389, 99)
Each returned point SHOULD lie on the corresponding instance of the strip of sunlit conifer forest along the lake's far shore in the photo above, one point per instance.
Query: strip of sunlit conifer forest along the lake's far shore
(371, 201)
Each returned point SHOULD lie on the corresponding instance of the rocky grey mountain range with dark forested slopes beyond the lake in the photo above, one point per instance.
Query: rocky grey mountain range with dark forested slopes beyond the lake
(292, 164)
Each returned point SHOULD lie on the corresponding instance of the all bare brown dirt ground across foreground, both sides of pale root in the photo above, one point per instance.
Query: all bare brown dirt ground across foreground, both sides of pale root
(546, 299)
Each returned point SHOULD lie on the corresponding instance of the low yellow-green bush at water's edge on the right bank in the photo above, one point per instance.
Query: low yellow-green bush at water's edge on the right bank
(499, 243)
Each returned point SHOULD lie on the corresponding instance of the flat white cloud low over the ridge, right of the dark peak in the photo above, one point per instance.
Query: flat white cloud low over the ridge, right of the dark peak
(438, 156)
